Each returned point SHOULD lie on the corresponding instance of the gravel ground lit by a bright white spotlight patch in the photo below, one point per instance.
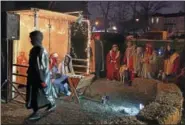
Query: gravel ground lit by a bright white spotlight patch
(123, 101)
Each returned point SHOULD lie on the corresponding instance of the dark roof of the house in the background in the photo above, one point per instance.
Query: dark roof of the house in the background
(169, 15)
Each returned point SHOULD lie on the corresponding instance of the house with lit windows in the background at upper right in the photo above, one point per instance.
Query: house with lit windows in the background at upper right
(173, 23)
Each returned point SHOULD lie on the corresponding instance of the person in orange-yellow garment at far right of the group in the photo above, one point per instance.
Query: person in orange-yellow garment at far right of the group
(171, 61)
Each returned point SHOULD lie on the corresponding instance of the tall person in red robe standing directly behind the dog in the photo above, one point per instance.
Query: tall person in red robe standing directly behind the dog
(129, 58)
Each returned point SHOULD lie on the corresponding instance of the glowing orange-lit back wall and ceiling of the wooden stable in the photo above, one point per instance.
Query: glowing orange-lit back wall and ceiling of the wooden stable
(55, 28)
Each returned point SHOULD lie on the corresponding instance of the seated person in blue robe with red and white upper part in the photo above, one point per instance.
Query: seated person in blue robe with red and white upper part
(59, 80)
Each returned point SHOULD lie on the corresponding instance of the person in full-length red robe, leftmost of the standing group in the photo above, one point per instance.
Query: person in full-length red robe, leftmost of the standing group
(113, 63)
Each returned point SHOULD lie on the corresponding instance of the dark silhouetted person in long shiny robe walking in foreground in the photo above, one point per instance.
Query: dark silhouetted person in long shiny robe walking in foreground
(40, 92)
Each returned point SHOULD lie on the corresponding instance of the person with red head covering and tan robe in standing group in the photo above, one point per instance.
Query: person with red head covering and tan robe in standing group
(147, 67)
